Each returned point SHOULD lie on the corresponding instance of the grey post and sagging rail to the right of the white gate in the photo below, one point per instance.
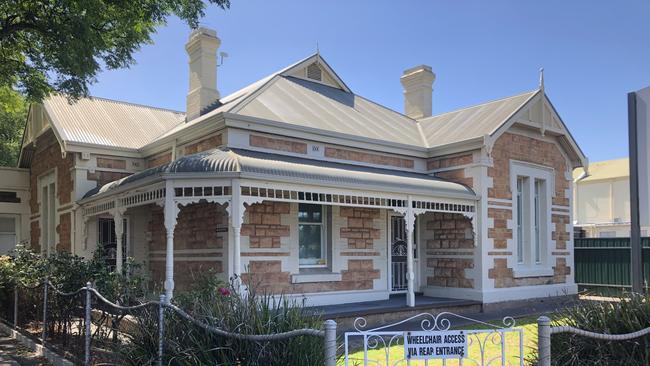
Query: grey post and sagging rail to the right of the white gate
(545, 331)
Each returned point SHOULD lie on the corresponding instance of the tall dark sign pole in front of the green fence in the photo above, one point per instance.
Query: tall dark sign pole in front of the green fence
(636, 252)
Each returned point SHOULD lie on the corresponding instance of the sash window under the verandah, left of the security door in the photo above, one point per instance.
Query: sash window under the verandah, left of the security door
(312, 238)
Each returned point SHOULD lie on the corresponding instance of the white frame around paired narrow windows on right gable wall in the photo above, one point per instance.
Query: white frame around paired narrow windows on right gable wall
(527, 264)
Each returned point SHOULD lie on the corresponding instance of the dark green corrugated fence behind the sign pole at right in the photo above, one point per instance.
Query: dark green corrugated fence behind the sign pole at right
(605, 262)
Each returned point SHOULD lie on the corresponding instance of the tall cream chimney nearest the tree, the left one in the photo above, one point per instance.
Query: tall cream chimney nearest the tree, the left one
(202, 48)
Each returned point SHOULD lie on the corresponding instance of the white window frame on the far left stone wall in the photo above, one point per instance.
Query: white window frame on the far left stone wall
(48, 202)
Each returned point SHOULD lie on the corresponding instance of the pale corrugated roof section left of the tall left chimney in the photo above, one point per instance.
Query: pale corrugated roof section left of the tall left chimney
(107, 122)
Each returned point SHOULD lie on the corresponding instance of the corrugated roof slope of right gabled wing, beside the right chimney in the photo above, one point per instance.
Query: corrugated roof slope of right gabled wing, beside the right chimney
(472, 122)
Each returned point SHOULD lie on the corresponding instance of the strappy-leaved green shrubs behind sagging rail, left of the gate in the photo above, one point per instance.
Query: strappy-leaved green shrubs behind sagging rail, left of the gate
(223, 306)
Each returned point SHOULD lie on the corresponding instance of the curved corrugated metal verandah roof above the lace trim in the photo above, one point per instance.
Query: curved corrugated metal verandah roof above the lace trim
(294, 168)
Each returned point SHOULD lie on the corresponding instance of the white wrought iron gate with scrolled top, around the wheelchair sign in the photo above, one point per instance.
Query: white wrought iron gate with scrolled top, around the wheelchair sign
(488, 345)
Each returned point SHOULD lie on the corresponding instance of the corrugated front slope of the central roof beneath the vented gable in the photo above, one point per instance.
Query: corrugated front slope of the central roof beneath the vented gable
(310, 104)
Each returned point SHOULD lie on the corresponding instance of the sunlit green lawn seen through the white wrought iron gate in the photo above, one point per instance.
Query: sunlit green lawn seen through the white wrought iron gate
(492, 349)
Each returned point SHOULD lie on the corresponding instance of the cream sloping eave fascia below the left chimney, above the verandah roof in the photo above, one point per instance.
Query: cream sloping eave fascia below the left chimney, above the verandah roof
(199, 129)
